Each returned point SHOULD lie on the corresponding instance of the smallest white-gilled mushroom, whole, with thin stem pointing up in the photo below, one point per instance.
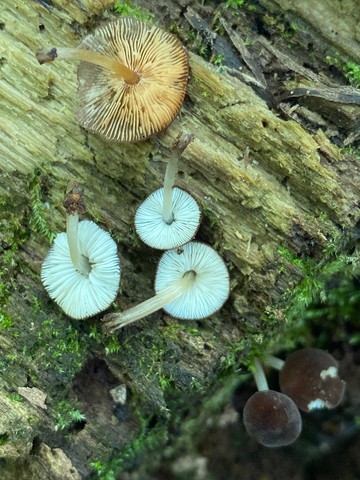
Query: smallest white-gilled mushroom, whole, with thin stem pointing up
(169, 217)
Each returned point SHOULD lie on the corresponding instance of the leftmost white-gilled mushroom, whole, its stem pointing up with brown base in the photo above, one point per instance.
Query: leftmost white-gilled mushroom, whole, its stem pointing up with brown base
(82, 270)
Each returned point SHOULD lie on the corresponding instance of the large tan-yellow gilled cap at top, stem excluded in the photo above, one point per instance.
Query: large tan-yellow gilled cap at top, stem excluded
(127, 113)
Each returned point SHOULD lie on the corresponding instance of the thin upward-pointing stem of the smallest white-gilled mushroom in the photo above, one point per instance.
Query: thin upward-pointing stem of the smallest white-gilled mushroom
(170, 175)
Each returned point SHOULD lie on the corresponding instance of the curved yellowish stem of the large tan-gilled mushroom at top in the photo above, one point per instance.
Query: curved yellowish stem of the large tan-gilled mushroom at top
(117, 69)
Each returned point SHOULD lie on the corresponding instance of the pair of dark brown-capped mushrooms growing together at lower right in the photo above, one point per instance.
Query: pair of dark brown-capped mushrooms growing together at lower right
(308, 380)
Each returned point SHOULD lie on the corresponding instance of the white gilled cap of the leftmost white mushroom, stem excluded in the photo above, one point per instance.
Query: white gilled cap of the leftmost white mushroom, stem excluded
(78, 295)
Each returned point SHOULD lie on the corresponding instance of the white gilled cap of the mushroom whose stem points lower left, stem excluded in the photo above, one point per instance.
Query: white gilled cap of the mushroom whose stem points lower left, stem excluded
(211, 285)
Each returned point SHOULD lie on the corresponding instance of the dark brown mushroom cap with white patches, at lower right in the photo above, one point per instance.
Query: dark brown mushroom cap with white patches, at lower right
(310, 377)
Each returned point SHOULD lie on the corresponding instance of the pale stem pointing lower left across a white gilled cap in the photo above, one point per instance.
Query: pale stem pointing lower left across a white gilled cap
(113, 321)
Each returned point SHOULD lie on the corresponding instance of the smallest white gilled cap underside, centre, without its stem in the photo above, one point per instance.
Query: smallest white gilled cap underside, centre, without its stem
(155, 232)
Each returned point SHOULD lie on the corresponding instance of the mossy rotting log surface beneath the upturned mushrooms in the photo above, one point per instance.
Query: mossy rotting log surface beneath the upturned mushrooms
(262, 183)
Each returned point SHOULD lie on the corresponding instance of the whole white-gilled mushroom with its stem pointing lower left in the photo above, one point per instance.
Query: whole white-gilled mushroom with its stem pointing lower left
(191, 283)
